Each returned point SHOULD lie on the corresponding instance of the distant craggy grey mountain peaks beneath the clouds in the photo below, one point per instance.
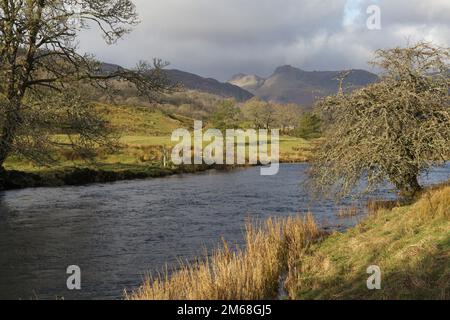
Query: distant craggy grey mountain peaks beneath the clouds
(292, 85)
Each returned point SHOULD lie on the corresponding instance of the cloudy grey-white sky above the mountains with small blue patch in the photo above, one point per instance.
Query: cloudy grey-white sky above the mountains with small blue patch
(219, 38)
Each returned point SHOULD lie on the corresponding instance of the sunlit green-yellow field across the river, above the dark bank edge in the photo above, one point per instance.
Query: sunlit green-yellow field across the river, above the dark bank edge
(144, 136)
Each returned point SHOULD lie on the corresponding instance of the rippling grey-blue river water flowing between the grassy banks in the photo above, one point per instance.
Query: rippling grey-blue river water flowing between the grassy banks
(119, 231)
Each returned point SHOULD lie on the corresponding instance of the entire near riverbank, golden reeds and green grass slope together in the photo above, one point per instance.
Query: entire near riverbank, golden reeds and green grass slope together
(411, 245)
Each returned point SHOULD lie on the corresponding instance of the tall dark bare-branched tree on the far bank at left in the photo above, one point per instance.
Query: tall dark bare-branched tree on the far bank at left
(45, 81)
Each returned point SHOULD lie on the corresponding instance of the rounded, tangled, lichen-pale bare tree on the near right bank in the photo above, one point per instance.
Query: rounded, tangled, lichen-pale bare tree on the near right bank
(392, 130)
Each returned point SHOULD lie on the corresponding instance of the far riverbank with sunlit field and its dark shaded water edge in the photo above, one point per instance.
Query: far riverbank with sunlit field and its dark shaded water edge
(144, 142)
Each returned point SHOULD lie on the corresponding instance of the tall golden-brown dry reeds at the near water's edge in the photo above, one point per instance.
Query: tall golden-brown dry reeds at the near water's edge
(249, 273)
